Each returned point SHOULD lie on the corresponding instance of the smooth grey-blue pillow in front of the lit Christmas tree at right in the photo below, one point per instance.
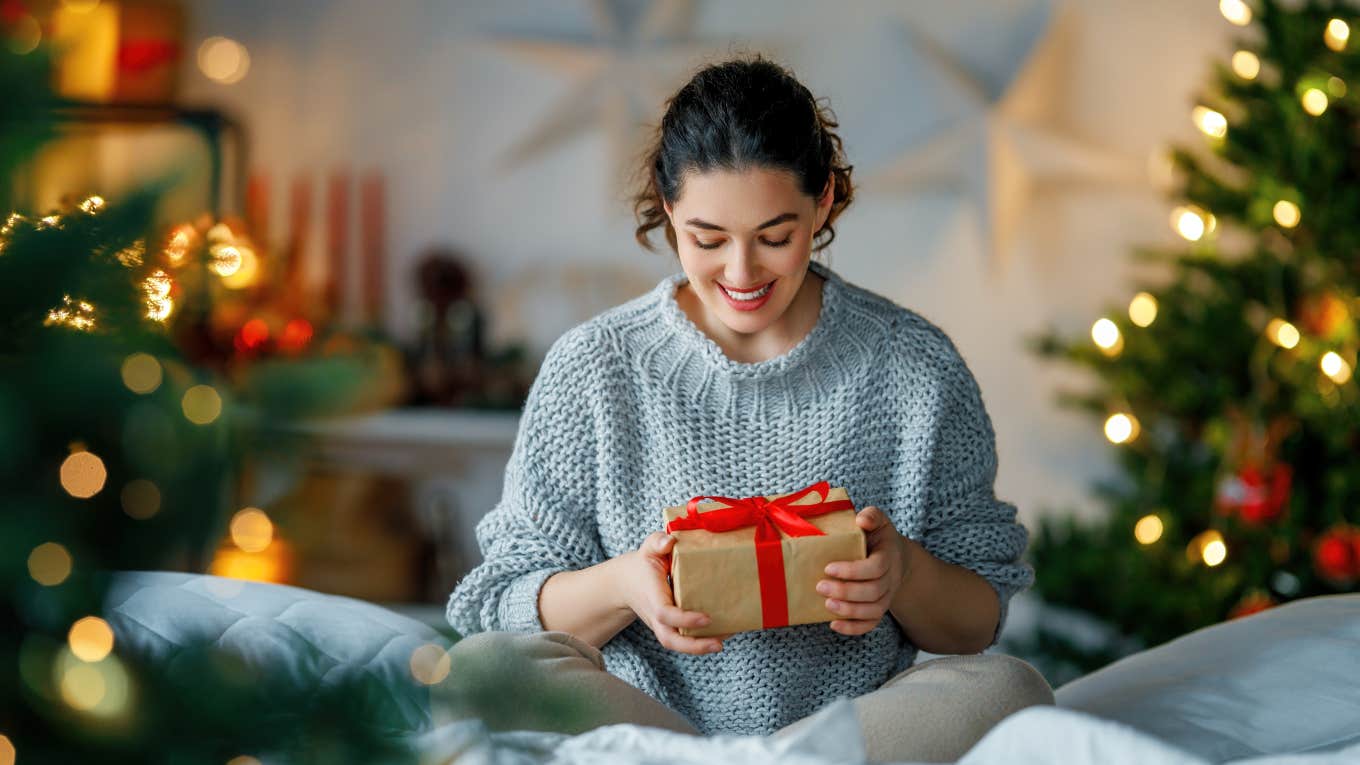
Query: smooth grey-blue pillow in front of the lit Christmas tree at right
(1282, 681)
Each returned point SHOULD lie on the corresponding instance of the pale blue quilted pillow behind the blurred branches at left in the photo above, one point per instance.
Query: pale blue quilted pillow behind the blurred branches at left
(293, 643)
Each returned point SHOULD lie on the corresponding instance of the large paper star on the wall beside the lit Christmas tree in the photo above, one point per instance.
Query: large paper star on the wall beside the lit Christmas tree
(999, 146)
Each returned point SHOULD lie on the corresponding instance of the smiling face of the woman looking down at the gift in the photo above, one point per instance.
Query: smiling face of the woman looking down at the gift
(746, 236)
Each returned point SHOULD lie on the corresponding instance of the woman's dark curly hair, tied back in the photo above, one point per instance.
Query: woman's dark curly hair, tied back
(741, 115)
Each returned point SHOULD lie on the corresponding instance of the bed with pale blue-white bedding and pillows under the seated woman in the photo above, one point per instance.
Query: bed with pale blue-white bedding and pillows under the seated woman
(1278, 687)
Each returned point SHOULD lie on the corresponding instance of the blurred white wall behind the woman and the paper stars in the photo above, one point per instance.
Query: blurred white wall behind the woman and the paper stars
(417, 89)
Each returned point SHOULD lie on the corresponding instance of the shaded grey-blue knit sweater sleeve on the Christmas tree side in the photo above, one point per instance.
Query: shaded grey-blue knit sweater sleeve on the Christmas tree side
(965, 523)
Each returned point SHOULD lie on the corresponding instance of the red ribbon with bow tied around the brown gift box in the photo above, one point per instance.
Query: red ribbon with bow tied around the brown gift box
(769, 517)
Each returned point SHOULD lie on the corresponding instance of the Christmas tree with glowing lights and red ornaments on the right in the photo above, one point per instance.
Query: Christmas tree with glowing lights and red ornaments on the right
(1226, 385)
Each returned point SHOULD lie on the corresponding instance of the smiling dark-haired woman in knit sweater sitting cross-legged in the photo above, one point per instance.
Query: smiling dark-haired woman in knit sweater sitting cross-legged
(757, 371)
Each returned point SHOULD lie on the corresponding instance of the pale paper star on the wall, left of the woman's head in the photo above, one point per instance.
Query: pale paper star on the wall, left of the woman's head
(637, 58)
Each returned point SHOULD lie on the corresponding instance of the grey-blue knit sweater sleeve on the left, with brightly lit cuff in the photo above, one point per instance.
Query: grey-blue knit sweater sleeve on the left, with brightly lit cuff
(545, 522)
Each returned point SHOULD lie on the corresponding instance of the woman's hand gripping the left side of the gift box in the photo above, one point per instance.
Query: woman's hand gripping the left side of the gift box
(648, 593)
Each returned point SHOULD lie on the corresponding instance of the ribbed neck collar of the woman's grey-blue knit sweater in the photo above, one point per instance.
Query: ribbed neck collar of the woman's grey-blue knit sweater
(693, 337)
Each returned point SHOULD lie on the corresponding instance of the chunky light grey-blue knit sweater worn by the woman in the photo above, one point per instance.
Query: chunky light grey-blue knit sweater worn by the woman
(637, 409)
